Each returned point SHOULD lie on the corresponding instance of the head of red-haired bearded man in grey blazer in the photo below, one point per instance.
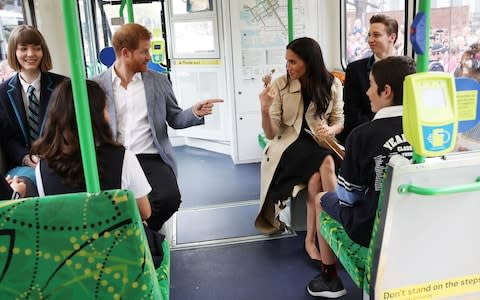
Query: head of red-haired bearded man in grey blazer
(132, 46)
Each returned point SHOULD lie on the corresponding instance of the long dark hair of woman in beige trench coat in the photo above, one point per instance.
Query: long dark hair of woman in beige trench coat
(317, 81)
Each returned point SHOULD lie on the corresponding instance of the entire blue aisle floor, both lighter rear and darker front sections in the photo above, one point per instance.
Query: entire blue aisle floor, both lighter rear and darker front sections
(218, 253)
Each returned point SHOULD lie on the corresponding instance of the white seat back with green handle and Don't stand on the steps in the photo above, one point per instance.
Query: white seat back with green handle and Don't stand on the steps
(429, 215)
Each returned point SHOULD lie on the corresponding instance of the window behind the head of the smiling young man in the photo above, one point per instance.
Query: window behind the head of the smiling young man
(356, 22)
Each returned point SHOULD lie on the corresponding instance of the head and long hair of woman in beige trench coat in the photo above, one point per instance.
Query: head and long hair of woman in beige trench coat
(305, 63)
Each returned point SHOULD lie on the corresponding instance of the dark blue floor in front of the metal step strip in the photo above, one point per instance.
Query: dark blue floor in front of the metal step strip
(263, 270)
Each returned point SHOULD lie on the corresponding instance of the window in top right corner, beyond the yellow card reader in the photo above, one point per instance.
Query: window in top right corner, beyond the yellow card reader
(454, 27)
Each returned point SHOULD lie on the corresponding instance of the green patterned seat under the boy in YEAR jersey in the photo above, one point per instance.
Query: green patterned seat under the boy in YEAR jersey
(356, 259)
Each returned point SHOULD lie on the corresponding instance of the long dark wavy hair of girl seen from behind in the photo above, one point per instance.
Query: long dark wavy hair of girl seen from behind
(59, 144)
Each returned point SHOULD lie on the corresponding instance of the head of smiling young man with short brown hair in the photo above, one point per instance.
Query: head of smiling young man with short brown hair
(382, 35)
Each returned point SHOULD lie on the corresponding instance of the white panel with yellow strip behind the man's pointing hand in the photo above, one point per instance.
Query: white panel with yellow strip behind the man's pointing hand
(198, 65)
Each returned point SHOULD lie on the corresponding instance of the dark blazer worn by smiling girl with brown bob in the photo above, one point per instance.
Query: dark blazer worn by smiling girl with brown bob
(16, 141)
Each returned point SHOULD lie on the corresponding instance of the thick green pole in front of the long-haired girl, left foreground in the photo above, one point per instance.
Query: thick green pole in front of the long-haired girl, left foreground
(82, 111)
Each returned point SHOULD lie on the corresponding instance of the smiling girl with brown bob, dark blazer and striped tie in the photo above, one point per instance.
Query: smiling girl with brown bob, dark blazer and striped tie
(29, 56)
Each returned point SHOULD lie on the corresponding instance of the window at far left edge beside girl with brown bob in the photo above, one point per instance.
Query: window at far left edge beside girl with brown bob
(11, 15)
